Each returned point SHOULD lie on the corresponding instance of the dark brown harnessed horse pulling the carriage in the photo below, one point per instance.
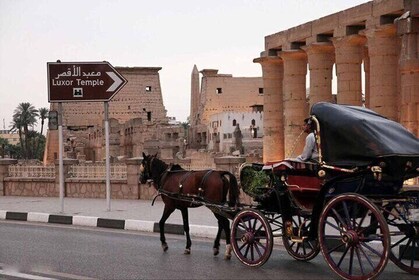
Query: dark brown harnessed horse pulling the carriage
(182, 189)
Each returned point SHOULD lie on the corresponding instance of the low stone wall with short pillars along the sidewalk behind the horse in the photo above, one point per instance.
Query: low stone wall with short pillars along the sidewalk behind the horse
(128, 188)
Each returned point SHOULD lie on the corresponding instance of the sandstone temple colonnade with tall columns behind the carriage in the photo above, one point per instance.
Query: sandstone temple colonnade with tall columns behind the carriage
(378, 40)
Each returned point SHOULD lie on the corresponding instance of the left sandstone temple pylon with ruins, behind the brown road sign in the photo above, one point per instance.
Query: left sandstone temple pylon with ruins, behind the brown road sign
(137, 119)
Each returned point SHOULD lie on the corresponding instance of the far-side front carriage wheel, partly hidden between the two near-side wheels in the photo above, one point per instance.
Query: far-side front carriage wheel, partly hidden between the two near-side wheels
(296, 241)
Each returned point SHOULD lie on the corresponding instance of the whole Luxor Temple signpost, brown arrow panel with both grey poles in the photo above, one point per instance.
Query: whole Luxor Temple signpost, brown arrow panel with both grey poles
(83, 81)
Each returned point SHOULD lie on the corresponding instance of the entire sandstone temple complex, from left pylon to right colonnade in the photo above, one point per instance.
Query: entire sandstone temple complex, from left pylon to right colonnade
(370, 52)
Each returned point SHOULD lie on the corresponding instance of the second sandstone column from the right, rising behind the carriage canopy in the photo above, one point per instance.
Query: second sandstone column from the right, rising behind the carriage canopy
(383, 62)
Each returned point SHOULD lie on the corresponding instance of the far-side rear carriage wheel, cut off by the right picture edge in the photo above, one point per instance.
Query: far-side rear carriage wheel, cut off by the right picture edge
(404, 232)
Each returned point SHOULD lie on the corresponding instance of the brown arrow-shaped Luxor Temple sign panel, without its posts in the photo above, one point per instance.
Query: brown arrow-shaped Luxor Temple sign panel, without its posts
(83, 81)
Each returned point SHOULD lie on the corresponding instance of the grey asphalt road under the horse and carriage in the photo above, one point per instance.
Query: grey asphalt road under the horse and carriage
(39, 251)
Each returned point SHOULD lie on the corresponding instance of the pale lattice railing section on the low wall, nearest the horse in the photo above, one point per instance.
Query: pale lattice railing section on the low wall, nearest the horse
(97, 171)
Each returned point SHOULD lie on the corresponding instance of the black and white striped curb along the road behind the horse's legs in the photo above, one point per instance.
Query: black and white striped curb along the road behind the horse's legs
(129, 224)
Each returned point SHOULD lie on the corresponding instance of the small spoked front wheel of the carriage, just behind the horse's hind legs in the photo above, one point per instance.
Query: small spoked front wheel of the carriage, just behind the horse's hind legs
(251, 238)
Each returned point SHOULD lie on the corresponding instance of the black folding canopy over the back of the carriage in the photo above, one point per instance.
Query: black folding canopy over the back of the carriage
(356, 136)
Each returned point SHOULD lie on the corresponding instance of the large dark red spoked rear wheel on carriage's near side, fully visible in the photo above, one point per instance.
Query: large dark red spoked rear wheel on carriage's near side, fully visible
(354, 237)
